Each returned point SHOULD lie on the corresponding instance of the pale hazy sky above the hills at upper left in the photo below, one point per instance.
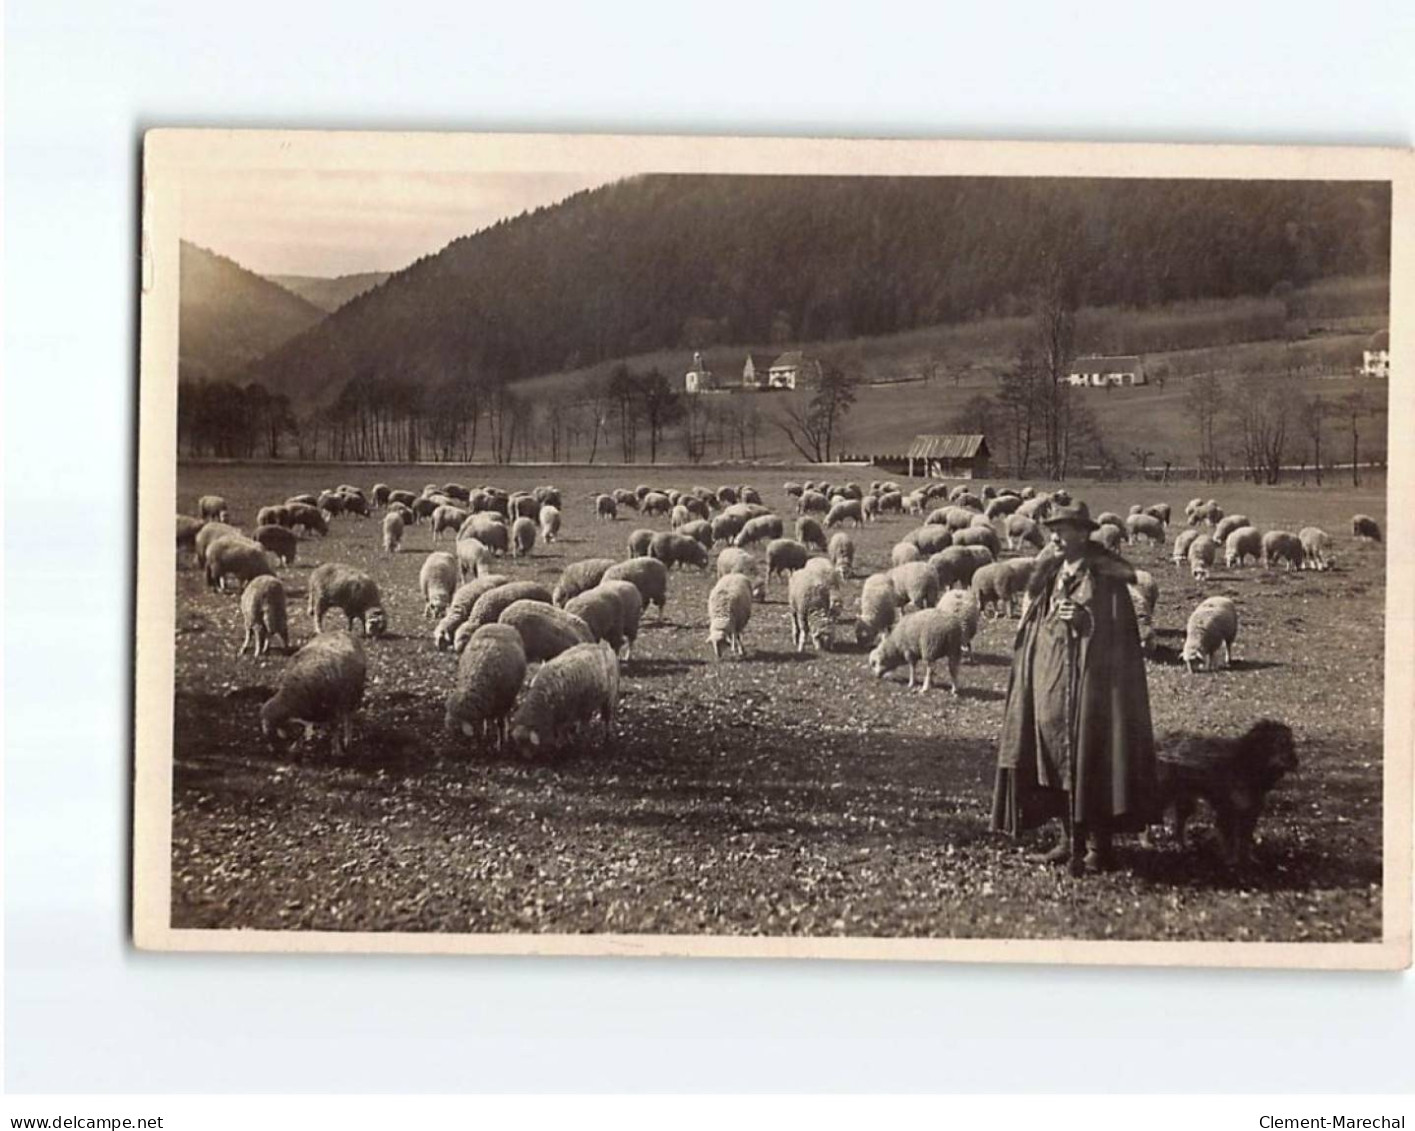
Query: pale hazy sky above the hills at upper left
(345, 223)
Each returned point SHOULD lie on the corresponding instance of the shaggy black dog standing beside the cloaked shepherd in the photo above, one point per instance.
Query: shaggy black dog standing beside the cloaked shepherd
(1232, 775)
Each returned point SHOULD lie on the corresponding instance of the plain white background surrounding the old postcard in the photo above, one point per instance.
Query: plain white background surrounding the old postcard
(84, 1013)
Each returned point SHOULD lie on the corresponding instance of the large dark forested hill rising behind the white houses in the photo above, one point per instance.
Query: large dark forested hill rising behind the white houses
(687, 261)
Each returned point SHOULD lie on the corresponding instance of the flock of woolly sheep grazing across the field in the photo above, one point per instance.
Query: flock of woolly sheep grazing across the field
(945, 577)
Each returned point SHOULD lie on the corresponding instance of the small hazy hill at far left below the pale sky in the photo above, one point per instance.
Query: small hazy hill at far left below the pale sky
(229, 316)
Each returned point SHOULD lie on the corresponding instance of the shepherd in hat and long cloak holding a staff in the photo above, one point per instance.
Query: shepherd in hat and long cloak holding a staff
(1078, 738)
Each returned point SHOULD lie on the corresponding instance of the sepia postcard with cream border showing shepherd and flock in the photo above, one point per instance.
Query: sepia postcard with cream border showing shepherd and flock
(775, 549)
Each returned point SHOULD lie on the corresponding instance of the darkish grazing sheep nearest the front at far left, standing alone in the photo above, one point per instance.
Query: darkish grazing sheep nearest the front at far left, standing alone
(322, 684)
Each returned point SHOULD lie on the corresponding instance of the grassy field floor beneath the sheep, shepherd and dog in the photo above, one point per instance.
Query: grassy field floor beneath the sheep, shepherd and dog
(780, 795)
